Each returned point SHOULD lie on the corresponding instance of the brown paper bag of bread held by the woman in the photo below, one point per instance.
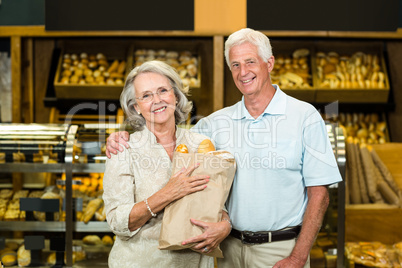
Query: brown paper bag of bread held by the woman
(205, 205)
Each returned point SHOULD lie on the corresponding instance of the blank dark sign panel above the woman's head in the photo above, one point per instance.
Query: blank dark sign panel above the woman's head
(106, 15)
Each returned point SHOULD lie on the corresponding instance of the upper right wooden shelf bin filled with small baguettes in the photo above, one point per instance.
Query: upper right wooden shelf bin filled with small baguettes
(370, 93)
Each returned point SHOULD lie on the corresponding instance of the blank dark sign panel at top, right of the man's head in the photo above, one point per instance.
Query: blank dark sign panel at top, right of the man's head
(319, 15)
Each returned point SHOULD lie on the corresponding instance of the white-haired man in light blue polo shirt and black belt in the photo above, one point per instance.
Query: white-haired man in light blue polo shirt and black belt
(284, 165)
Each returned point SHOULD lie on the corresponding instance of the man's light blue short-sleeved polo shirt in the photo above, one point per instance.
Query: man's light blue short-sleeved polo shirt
(278, 155)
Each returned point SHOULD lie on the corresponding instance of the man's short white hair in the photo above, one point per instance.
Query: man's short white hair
(247, 35)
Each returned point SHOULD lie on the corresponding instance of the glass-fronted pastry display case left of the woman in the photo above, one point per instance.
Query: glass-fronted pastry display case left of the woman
(68, 205)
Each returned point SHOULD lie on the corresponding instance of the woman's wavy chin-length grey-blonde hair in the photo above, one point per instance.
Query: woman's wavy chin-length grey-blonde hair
(128, 99)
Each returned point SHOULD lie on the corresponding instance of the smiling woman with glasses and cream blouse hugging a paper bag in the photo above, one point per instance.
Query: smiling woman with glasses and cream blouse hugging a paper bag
(138, 183)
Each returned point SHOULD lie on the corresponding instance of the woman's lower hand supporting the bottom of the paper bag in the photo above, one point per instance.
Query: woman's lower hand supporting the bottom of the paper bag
(214, 234)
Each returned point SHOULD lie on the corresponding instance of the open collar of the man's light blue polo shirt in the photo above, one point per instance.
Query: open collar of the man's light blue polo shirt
(276, 106)
